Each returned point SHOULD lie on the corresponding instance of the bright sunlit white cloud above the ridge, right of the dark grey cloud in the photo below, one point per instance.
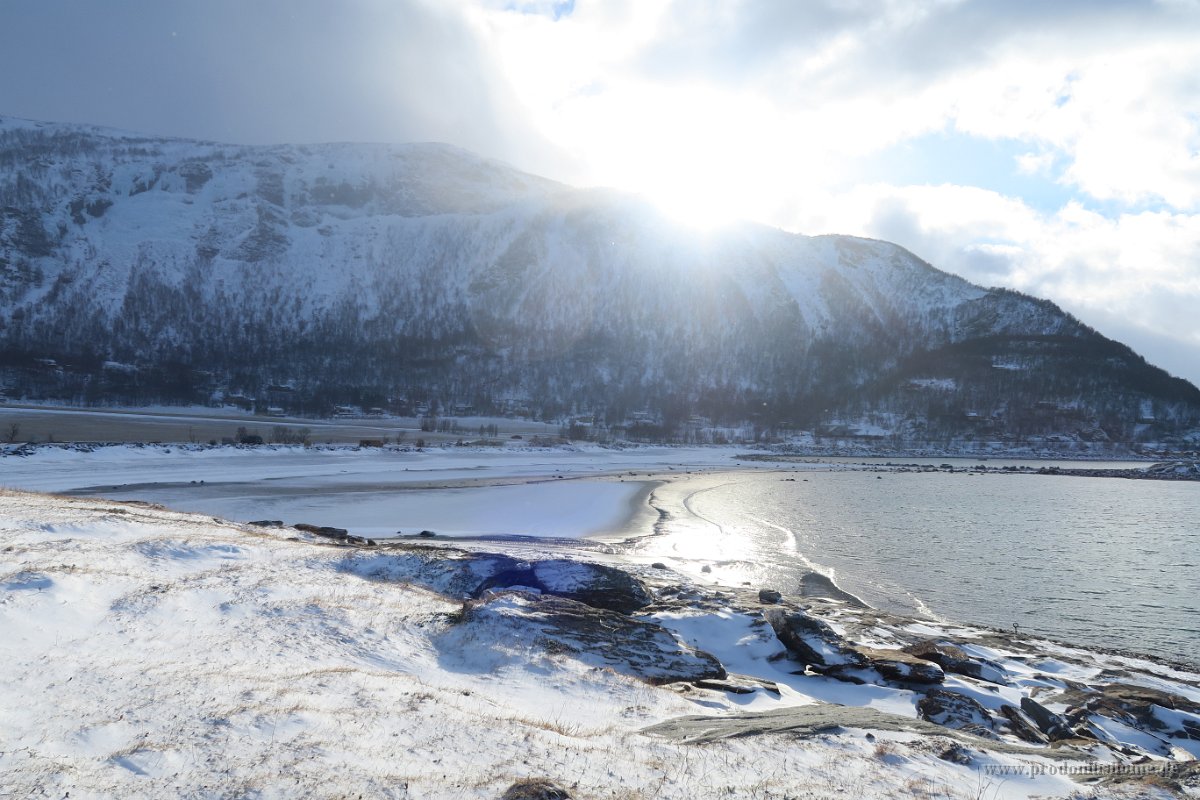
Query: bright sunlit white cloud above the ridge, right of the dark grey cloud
(770, 109)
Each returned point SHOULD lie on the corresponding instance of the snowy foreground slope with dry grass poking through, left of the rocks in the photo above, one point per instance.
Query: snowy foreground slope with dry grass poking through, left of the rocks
(154, 654)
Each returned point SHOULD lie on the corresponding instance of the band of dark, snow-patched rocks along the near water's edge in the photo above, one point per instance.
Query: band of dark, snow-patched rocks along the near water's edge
(601, 616)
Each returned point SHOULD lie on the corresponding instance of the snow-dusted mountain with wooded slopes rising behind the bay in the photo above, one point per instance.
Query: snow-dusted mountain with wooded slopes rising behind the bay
(137, 269)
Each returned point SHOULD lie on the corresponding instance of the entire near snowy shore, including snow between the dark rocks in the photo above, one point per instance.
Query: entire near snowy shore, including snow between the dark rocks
(152, 653)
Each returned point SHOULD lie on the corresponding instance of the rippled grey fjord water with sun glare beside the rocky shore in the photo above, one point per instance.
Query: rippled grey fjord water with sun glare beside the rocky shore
(1096, 562)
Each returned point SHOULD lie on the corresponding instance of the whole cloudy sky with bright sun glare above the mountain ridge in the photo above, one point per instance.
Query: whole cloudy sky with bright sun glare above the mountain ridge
(1052, 148)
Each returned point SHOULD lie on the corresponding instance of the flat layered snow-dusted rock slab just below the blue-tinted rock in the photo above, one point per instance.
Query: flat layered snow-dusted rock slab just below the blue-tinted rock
(595, 636)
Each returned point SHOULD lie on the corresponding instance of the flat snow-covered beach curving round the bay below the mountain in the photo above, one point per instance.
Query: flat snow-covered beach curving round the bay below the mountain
(561, 492)
